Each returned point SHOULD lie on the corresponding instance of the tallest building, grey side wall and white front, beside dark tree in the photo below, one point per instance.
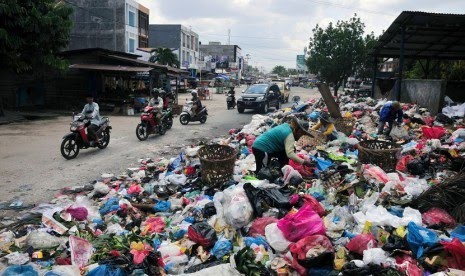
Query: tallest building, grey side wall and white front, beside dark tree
(118, 25)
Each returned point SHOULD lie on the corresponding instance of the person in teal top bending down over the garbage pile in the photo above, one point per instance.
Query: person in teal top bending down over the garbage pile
(279, 142)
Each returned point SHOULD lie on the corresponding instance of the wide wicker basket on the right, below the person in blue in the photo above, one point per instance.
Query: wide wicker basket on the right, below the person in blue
(380, 153)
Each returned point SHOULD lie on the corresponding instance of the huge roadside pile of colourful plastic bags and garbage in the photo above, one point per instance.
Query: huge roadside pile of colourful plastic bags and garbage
(340, 217)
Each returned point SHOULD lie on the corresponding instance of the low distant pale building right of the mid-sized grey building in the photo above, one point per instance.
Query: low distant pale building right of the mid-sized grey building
(223, 58)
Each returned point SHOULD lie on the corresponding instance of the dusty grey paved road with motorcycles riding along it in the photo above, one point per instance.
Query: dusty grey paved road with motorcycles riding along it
(33, 170)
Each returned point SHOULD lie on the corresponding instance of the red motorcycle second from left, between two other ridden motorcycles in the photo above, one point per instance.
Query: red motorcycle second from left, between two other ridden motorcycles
(148, 125)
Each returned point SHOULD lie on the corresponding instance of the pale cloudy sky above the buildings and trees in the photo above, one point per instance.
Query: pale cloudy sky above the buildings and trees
(273, 32)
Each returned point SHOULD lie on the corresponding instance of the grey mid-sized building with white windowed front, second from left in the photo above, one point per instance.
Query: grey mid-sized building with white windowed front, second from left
(182, 40)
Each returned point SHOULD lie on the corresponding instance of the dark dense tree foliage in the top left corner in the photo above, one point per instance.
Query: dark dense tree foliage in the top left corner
(32, 33)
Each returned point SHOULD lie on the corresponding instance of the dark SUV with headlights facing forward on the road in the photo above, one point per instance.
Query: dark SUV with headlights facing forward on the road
(260, 97)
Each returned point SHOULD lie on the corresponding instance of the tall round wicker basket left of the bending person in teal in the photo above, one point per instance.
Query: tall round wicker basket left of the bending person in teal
(217, 162)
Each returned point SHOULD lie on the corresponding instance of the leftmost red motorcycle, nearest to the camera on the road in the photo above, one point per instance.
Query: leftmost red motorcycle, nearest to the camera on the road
(77, 139)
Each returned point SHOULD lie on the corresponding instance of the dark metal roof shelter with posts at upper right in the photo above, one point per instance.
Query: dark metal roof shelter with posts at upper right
(422, 35)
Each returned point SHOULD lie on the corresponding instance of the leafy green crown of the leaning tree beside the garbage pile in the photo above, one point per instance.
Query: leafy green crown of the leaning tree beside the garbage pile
(337, 51)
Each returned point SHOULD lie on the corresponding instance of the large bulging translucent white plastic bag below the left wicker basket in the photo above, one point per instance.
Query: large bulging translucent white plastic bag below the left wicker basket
(237, 210)
